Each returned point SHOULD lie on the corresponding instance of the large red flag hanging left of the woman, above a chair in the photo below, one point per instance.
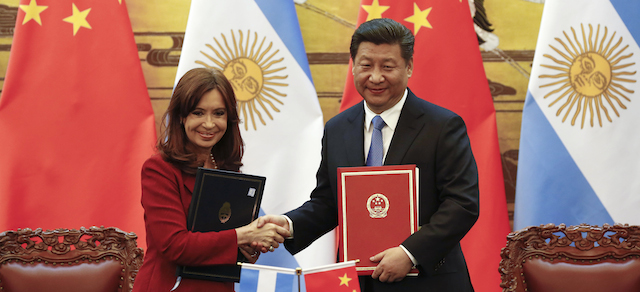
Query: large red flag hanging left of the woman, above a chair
(75, 119)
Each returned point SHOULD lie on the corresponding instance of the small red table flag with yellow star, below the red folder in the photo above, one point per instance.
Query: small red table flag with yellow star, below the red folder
(336, 277)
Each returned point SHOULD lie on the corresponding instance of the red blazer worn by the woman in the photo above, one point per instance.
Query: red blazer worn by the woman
(166, 195)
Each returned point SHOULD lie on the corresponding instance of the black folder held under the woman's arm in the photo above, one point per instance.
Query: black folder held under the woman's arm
(222, 200)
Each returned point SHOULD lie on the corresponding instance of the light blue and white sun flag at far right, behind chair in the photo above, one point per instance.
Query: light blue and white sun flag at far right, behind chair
(579, 158)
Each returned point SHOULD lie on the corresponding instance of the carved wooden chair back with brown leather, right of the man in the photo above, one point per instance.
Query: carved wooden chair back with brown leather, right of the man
(576, 258)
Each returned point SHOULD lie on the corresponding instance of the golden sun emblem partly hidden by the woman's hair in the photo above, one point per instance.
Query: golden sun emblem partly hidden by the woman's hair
(253, 68)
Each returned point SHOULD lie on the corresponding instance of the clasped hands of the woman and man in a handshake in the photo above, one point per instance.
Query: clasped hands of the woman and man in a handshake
(268, 235)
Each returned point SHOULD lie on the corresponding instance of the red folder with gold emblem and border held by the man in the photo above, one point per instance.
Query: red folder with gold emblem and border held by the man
(378, 209)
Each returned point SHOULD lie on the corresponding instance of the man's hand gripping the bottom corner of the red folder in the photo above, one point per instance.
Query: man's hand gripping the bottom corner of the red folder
(394, 264)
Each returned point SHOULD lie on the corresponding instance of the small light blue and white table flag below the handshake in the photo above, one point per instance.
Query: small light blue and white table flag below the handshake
(259, 278)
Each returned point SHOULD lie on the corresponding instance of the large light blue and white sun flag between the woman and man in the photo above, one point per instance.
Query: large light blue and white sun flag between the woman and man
(258, 45)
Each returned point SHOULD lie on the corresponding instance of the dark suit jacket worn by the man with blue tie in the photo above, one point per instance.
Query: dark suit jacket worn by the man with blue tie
(433, 138)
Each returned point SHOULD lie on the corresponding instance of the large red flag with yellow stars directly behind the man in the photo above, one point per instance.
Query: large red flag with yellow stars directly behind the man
(448, 71)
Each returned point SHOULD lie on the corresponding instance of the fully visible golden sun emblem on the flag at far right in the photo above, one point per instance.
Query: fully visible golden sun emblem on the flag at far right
(592, 73)
